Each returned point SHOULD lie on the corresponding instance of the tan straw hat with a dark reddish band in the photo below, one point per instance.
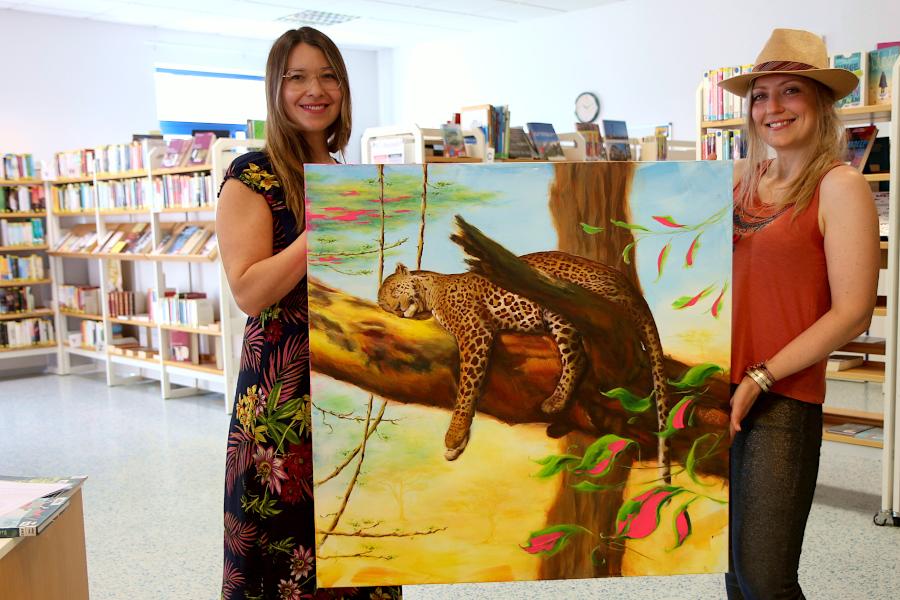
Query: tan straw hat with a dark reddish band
(797, 52)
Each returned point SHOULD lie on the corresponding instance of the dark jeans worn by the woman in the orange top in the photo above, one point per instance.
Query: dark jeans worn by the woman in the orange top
(774, 464)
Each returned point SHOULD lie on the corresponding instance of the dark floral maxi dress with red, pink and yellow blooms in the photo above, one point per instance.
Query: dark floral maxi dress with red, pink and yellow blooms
(269, 518)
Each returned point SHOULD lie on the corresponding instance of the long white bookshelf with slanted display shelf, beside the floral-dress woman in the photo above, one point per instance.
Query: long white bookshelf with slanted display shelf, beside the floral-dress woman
(150, 203)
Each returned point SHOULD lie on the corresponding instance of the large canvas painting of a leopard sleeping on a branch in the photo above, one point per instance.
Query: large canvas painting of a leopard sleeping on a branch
(519, 371)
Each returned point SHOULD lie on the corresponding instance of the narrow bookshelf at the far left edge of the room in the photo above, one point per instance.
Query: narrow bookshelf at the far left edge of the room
(23, 239)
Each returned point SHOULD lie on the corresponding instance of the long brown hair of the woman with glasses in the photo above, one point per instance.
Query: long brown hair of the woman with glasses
(286, 147)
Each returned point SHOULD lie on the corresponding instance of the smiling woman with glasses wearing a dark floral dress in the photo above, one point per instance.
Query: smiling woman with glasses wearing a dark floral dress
(269, 518)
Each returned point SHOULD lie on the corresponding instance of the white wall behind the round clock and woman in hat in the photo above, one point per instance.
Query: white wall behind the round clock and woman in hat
(644, 58)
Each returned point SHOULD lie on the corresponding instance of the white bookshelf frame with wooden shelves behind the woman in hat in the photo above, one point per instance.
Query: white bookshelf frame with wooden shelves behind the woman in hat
(880, 364)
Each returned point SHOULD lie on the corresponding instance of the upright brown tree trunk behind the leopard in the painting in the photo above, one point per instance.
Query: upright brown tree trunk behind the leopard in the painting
(594, 194)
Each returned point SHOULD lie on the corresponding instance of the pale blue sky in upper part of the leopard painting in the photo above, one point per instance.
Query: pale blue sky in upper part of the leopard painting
(517, 217)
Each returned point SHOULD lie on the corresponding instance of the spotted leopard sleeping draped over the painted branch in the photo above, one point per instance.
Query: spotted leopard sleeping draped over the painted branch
(474, 311)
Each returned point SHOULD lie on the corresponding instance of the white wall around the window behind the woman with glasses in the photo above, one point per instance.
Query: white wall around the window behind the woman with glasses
(78, 83)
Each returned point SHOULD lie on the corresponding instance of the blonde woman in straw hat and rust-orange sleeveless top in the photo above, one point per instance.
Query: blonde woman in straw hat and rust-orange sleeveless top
(806, 262)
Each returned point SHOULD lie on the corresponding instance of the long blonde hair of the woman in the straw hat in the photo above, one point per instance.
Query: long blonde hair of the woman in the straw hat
(828, 146)
